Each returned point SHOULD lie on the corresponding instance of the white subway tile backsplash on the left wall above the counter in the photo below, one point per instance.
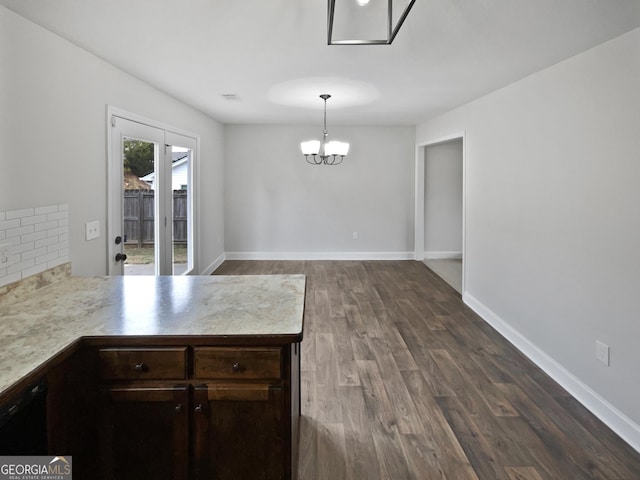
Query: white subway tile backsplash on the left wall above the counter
(38, 239)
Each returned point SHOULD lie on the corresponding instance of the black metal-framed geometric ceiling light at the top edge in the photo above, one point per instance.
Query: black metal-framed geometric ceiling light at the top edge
(363, 22)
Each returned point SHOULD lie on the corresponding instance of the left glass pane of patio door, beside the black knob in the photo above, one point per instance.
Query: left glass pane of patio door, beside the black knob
(139, 206)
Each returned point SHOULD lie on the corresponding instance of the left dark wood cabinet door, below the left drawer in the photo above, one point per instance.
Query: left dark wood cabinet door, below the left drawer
(144, 432)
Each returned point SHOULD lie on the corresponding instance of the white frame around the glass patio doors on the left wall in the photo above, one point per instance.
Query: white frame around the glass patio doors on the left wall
(113, 177)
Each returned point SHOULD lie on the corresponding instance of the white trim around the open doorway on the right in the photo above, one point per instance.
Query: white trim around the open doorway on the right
(419, 221)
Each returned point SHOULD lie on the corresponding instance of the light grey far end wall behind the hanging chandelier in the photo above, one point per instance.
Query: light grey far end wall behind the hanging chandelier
(278, 206)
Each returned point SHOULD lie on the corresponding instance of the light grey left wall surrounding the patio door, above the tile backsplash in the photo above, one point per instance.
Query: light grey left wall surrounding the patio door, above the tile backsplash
(53, 98)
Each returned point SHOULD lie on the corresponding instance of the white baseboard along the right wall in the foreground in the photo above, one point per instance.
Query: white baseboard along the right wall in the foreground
(601, 408)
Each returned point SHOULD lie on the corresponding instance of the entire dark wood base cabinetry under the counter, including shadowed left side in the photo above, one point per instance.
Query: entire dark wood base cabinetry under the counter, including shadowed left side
(174, 412)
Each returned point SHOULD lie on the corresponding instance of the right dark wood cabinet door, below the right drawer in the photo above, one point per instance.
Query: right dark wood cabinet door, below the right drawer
(238, 432)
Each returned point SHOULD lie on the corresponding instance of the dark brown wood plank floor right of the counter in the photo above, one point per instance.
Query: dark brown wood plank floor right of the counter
(400, 380)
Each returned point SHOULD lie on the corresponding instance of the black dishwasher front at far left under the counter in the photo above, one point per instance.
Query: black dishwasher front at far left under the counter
(23, 422)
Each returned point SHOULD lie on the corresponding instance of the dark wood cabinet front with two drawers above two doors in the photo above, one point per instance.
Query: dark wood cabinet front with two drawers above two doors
(198, 412)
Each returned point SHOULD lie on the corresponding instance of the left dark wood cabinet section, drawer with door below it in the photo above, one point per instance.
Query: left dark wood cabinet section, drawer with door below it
(144, 420)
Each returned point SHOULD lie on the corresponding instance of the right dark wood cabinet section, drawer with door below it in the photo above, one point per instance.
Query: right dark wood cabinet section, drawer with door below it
(239, 409)
